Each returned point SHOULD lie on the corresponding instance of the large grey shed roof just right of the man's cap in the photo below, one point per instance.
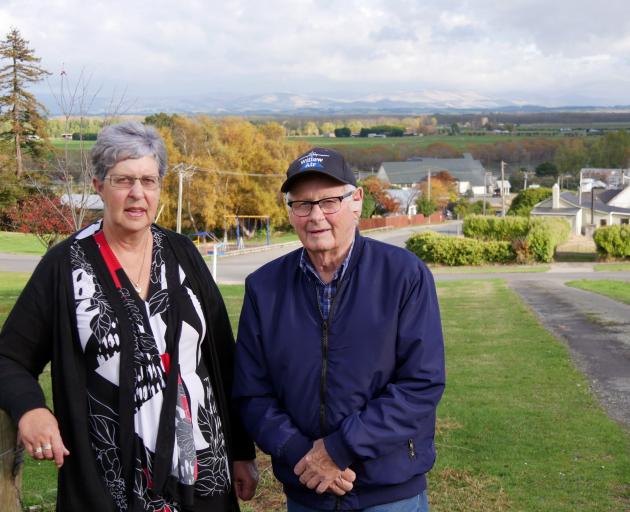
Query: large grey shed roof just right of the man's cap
(417, 169)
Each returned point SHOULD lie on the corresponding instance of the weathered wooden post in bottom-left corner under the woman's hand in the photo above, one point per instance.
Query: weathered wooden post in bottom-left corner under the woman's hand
(10, 479)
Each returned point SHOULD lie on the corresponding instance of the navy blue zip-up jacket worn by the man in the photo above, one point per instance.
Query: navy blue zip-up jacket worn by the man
(367, 381)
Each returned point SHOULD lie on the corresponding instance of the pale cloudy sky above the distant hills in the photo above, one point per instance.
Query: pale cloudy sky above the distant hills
(549, 52)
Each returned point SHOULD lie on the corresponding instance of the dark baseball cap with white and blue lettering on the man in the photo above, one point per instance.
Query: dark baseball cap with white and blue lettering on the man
(319, 161)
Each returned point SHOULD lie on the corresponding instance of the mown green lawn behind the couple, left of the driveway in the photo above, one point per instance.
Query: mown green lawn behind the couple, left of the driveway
(518, 428)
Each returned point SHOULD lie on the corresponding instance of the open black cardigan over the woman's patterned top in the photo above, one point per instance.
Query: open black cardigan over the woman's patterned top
(42, 328)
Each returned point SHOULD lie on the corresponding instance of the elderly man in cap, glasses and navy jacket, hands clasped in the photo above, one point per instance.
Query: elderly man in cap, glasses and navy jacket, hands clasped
(340, 356)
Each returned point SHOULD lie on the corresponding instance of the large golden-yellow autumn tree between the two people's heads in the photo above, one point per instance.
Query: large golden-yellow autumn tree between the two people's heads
(234, 168)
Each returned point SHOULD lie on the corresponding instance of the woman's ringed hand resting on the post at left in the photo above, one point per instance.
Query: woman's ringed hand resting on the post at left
(38, 431)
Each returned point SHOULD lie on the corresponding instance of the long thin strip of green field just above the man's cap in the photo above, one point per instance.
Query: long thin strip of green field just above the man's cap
(458, 142)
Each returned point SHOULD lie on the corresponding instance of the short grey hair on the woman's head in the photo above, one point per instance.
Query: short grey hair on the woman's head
(124, 141)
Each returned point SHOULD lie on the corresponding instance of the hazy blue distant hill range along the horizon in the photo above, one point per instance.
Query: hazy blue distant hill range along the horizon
(429, 102)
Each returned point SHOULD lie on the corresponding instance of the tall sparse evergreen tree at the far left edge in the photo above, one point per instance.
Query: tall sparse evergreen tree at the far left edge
(19, 109)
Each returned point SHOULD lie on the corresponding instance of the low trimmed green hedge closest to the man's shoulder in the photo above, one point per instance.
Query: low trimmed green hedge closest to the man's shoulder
(448, 250)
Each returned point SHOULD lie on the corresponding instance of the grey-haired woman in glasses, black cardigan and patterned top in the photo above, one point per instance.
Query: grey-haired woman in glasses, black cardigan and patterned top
(141, 350)
